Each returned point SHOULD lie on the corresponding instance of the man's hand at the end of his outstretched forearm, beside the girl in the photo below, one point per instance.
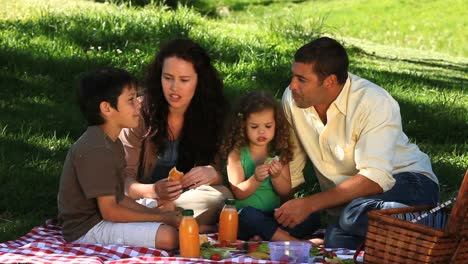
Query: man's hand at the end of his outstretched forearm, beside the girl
(293, 212)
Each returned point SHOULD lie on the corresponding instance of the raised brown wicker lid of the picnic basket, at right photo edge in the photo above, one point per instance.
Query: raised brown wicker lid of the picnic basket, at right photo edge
(459, 210)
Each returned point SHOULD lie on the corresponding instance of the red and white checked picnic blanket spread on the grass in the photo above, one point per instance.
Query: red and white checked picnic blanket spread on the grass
(45, 244)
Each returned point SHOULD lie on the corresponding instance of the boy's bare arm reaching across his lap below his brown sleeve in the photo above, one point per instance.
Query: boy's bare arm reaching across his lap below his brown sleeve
(120, 213)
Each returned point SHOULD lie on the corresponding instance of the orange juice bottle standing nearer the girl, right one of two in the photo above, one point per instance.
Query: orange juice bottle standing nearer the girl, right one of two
(228, 222)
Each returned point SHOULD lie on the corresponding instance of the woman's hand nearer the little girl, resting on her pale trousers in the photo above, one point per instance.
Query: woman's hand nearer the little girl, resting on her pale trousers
(200, 175)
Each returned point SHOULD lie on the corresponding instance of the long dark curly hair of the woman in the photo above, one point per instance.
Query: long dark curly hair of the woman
(203, 120)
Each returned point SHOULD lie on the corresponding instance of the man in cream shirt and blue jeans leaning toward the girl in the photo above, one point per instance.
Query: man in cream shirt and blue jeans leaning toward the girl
(351, 130)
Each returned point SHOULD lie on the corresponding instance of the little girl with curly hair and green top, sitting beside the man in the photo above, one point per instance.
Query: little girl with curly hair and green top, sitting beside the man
(257, 150)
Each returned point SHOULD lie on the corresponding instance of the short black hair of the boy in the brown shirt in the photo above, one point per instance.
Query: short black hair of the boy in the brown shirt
(105, 84)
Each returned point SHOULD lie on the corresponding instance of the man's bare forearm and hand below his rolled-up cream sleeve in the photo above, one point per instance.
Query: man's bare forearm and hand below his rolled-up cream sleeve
(295, 211)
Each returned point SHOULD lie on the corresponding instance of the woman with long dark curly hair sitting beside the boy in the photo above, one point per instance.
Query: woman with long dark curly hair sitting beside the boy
(183, 109)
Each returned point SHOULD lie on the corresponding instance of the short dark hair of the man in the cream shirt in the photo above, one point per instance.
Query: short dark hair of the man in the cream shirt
(327, 57)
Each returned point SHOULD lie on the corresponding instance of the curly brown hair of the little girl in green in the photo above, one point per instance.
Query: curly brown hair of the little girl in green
(236, 132)
